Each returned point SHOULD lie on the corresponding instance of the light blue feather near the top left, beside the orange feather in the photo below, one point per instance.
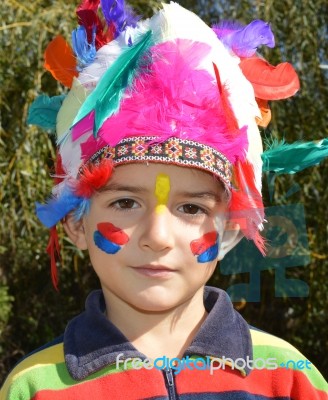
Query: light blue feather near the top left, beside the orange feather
(85, 51)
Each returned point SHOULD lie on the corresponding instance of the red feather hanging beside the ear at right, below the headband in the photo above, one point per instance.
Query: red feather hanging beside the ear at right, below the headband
(246, 205)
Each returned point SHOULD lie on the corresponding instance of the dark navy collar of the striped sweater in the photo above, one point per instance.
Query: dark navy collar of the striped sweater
(91, 341)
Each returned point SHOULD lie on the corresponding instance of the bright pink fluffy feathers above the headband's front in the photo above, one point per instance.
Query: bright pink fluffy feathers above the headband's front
(173, 97)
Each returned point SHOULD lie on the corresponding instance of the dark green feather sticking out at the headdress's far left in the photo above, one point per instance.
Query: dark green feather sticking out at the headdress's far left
(43, 111)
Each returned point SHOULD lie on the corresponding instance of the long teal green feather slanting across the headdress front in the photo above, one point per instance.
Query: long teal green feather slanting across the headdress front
(105, 99)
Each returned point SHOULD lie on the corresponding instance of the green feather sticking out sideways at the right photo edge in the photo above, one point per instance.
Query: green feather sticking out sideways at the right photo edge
(284, 158)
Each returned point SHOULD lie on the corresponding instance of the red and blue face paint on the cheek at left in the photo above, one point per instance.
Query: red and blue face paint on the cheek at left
(109, 238)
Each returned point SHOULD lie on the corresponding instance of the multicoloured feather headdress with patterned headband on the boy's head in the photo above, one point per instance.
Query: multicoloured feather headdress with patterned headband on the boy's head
(166, 90)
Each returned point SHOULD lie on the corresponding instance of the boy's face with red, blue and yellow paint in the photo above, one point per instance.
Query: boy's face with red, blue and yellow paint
(151, 234)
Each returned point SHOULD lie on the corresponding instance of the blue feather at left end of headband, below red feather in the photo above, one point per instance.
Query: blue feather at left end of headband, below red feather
(57, 208)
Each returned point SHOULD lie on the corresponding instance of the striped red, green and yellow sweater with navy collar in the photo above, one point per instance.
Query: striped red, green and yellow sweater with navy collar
(226, 360)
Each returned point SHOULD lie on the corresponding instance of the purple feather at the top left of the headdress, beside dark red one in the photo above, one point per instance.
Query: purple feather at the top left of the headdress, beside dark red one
(118, 14)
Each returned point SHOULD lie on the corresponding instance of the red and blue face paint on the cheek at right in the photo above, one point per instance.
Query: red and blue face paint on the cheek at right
(206, 247)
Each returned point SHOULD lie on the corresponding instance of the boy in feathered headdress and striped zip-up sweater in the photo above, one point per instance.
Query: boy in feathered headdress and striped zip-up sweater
(159, 170)
